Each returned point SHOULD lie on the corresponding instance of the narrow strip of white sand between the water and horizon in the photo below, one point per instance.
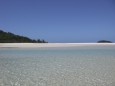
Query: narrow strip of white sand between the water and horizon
(36, 45)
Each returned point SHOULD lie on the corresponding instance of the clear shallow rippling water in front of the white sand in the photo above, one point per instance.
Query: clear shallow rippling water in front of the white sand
(62, 66)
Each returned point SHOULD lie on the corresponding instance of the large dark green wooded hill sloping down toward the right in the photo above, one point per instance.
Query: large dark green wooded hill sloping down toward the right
(8, 37)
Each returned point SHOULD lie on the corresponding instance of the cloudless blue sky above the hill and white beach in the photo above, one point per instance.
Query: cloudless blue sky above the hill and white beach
(72, 21)
